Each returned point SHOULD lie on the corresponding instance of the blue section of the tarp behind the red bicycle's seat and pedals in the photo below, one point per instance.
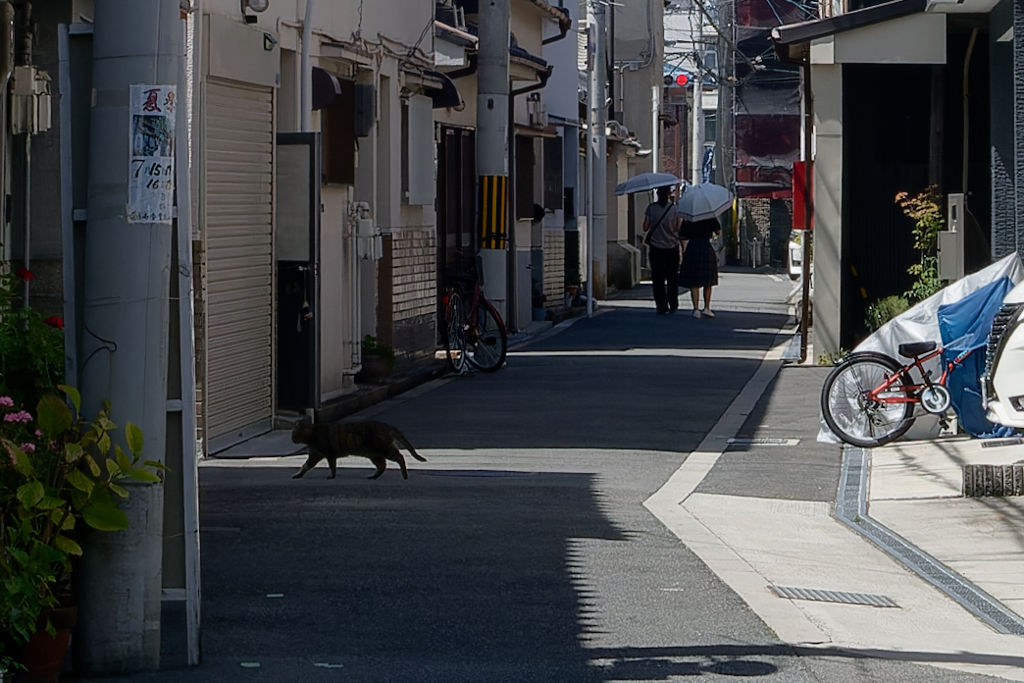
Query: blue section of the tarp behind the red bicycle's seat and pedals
(965, 326)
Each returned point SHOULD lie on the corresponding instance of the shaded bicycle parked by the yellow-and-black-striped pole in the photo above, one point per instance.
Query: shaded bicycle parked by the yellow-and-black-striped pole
(475, 332)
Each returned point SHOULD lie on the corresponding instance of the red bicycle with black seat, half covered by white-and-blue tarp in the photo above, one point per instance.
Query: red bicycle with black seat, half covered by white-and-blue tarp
(870, 399)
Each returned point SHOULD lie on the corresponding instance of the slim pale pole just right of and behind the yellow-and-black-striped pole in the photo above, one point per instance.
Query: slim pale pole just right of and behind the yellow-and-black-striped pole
(600, 153)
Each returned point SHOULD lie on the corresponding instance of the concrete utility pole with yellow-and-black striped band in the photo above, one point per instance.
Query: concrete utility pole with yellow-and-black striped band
(492, 149)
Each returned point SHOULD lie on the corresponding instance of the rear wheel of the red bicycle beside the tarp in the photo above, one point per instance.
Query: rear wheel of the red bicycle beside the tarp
(852, 415)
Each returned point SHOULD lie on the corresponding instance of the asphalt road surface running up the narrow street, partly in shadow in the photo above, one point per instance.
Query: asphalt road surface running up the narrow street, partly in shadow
(522, 551)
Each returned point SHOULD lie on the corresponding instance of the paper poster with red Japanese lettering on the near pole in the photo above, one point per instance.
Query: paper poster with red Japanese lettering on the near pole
(151, 145)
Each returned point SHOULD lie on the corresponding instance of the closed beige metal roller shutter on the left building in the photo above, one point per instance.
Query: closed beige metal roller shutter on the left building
(239, 211)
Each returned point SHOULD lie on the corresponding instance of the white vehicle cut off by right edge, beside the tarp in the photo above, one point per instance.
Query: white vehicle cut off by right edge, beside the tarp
(1003, 382)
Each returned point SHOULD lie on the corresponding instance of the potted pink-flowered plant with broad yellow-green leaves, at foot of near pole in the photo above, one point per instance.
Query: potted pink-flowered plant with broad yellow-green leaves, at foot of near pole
(60, 474)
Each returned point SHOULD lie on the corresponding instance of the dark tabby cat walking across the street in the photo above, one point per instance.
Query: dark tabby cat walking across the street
(370, 439)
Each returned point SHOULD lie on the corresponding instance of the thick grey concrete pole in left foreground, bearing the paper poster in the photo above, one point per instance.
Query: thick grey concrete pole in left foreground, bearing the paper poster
(126, 316)
